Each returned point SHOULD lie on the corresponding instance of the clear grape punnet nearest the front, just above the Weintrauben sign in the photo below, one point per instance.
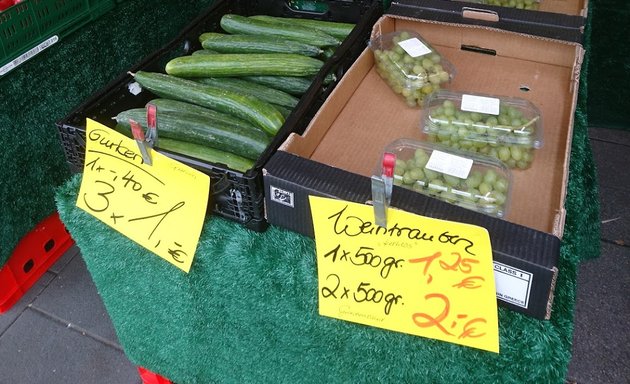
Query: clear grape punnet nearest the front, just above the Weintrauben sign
(472, 181)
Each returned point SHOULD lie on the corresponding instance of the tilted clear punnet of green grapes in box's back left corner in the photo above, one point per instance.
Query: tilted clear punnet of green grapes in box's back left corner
(410, 66)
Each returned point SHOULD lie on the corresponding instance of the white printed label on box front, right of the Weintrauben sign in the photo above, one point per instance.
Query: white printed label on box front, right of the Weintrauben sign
(512, 284)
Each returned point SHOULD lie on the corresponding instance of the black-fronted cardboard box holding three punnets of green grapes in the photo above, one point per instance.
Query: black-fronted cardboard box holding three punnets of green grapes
(337, 153)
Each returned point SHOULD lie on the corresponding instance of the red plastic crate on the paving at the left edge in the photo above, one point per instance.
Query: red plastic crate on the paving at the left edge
(32, 257)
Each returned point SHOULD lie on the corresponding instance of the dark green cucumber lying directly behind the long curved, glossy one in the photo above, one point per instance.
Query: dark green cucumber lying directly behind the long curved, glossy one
(270, 95)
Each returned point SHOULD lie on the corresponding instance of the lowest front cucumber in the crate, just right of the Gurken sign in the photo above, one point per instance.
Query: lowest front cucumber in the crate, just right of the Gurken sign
(211, 155)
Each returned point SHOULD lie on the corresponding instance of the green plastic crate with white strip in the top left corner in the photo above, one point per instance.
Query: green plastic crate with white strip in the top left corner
(31, 26)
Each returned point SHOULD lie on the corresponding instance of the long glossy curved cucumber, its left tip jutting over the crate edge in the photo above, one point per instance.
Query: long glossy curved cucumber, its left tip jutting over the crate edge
(258, 112)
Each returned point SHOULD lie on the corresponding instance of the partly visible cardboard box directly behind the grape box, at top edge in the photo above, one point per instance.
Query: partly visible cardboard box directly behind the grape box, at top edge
(555, 19)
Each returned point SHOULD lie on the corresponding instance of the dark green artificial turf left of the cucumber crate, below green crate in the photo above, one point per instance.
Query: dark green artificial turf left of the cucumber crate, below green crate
(45, 88)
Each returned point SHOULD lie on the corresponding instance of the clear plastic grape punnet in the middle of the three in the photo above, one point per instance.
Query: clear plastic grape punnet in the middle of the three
(508, 129)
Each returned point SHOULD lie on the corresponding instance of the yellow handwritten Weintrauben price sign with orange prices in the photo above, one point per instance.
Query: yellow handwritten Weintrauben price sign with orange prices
(421, 276)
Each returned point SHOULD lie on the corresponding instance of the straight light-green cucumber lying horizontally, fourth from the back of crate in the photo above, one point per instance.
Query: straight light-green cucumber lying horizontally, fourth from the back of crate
(243, 64)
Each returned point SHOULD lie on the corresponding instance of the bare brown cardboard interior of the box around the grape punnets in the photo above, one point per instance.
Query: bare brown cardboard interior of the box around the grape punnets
(363, 115)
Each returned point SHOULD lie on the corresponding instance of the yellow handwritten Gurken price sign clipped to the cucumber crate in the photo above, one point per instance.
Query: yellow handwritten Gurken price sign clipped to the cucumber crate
(161, 206)
